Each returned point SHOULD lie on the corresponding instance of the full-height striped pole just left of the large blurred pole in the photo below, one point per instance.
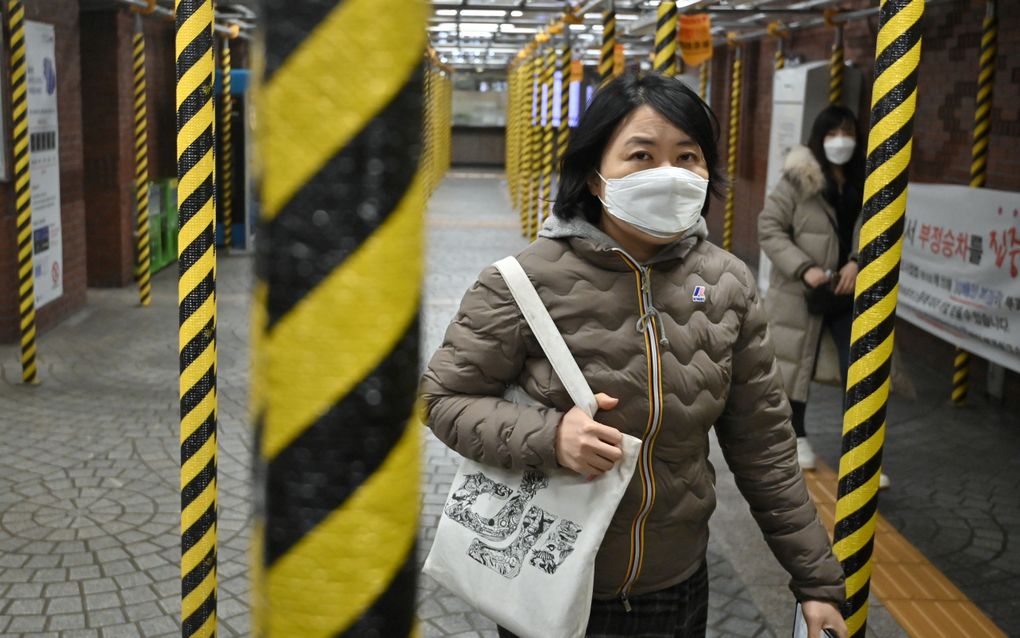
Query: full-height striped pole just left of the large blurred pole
(196, 295)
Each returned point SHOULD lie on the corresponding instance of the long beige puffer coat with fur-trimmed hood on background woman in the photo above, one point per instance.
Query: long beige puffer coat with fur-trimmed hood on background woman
(797, 230)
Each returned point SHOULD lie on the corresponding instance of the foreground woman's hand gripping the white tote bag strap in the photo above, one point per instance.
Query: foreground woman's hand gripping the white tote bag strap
(587, 447)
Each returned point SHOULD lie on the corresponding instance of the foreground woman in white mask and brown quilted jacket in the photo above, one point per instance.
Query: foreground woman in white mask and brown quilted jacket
(670, 331)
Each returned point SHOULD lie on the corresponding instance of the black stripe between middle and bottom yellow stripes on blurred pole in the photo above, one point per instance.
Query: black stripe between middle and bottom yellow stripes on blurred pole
(322, 468)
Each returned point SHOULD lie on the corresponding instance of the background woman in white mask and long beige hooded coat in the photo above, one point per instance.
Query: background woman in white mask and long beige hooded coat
(810, 230)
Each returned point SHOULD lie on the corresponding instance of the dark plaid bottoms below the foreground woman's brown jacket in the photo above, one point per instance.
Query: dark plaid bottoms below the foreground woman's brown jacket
(678, 612)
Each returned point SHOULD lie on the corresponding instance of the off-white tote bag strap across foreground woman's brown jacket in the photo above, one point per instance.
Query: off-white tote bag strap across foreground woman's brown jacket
(545, 331)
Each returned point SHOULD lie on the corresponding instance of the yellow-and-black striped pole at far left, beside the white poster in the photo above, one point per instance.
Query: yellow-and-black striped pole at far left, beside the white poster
(23, 189)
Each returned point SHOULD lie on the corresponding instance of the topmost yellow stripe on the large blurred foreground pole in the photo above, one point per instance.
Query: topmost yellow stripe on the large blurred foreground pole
(345, 51)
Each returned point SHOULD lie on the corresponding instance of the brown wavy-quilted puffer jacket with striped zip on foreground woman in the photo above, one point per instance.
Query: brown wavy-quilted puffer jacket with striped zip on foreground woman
(679, 366)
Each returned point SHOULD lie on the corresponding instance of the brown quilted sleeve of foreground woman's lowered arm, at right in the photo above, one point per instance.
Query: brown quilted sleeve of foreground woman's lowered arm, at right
(759, 446)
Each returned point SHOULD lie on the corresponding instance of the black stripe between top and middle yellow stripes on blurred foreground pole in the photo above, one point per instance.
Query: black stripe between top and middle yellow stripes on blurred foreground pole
(343, 205)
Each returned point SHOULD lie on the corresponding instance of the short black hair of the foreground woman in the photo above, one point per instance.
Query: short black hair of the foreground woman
(670, 96)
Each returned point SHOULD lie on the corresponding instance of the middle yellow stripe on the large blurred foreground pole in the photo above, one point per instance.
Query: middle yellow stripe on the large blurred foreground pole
(379, 275)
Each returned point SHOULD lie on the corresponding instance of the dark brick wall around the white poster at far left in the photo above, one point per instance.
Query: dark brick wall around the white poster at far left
(65, 17)
